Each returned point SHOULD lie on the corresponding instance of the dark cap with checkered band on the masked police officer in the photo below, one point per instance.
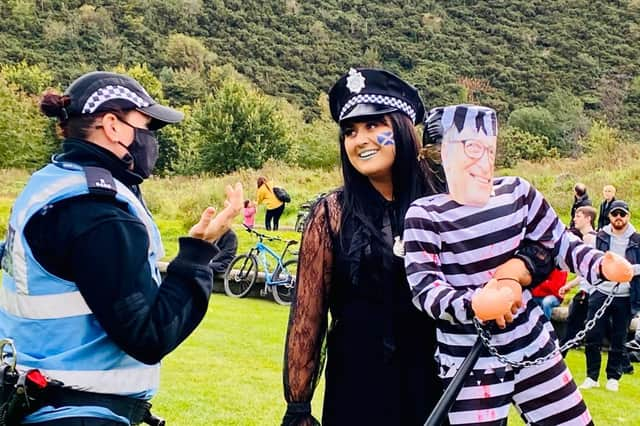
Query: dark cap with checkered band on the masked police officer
(101, 91)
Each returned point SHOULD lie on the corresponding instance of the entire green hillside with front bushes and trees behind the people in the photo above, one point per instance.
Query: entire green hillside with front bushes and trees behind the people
(252, 75)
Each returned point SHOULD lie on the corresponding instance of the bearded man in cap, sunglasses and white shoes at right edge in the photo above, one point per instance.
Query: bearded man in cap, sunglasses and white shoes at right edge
(621, 238)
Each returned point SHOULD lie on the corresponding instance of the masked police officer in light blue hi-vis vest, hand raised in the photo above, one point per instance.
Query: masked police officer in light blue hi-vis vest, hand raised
(81, 295)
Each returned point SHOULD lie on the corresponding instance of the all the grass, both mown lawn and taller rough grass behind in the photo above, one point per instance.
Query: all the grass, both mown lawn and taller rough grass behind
(229, 372)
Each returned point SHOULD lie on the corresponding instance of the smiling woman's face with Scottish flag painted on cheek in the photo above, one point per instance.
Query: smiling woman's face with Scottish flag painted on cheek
(370, 147)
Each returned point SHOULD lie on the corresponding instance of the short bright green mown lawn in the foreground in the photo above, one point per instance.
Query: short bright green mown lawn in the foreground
(229, 372)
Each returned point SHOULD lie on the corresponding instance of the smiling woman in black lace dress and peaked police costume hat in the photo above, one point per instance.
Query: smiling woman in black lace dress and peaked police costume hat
(380, 366)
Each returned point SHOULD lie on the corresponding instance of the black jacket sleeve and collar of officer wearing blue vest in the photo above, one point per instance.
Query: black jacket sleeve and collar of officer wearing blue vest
(95, 242)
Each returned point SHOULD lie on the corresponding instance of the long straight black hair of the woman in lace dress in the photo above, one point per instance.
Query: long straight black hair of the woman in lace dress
(409, 181)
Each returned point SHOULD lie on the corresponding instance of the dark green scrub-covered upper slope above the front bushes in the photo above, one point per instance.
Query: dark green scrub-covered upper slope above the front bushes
(521, 49)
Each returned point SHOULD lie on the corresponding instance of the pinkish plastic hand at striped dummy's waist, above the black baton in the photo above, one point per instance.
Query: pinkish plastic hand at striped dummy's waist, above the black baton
(497, 300)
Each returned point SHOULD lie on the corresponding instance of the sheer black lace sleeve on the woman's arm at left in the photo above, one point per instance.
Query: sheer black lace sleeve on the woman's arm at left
(308, 318)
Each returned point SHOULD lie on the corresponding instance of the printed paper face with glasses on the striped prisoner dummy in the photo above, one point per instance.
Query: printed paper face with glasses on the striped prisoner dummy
(468, 159)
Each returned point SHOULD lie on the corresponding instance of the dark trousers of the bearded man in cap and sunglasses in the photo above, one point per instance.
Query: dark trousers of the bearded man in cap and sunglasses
(619, 313)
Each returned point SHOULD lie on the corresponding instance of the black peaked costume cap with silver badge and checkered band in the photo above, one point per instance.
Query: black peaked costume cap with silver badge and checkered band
(365, 92)
